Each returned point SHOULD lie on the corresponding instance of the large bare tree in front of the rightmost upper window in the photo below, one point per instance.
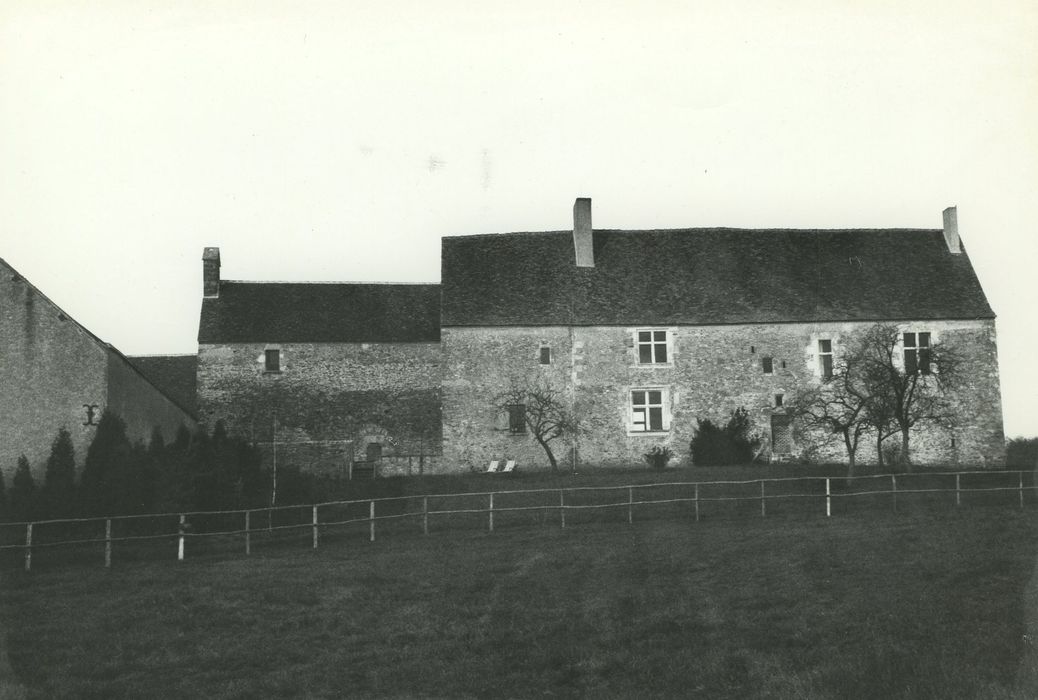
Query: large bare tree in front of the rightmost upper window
(908, 376)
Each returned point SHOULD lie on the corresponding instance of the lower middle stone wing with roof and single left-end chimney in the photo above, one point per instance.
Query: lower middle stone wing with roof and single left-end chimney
(326, 378)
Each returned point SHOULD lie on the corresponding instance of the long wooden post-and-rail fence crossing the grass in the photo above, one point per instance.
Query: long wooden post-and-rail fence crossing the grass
(341, 521)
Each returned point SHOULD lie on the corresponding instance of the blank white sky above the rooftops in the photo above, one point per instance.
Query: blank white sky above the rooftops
(341, 141)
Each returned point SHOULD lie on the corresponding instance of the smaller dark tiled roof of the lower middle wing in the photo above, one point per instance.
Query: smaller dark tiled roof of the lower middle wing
(321, 313)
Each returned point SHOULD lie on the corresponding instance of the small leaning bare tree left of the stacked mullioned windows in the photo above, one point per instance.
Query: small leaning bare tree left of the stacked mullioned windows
(542, 410)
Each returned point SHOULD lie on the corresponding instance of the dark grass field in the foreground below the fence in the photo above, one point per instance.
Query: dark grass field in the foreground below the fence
(932, 605)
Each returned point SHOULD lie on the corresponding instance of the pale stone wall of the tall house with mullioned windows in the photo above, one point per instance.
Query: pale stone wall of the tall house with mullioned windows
(713, 371)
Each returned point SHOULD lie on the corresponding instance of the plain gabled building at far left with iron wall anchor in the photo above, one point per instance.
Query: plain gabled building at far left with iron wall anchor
(56, 373)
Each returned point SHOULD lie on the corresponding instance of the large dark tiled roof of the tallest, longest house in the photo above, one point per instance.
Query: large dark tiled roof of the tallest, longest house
(707, 277)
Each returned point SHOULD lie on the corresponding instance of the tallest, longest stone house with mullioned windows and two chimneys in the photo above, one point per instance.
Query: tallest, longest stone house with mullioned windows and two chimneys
(645, 332)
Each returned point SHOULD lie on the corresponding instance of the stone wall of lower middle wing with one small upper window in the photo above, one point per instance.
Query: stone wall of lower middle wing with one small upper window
(331, 401)
